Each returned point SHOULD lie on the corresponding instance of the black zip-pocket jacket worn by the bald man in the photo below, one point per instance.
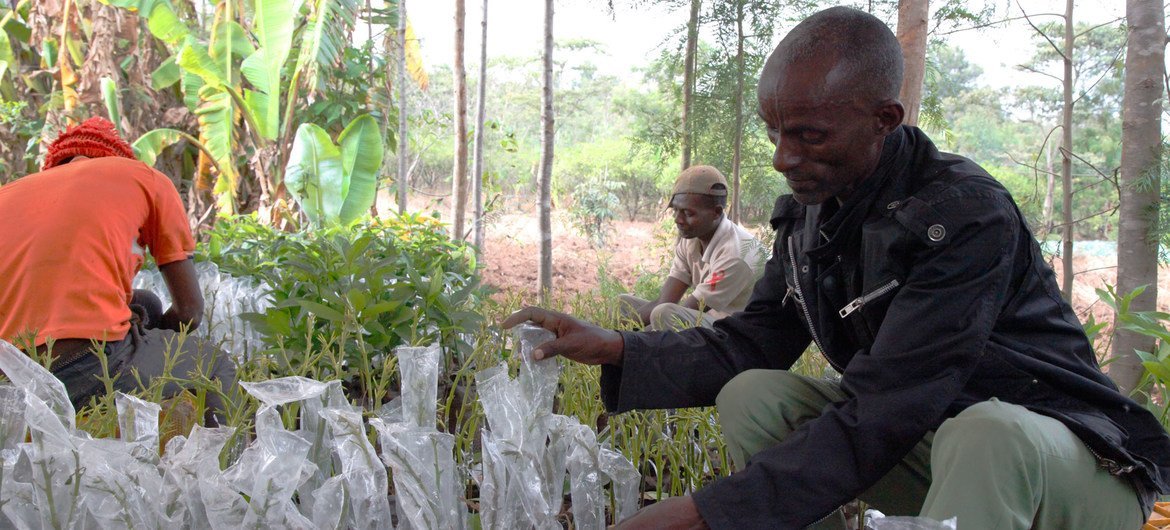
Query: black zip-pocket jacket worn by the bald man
(930, 294)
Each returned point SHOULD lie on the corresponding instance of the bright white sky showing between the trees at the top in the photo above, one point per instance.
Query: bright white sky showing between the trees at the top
(515, 27)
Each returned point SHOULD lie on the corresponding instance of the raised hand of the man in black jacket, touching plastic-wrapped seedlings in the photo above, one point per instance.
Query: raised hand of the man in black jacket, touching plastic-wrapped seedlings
(576, 340)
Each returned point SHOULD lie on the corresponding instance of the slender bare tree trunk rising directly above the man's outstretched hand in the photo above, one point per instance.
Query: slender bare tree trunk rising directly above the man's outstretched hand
(547, 147)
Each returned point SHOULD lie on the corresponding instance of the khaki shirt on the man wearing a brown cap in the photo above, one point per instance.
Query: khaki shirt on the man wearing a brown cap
(724, 276)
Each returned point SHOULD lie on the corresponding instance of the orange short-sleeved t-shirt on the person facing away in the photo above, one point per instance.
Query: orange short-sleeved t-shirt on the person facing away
(72, 239)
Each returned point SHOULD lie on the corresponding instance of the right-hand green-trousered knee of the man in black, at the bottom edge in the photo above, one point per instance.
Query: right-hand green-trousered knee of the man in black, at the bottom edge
(999, 465)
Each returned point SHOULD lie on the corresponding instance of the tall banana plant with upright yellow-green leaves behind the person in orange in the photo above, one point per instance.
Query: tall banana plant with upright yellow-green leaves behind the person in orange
(233, 80)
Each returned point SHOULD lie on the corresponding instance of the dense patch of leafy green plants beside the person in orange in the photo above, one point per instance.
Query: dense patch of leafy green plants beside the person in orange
(345, 298)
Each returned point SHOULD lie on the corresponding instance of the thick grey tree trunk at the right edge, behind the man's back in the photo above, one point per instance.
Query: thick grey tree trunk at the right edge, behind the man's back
(1141, 154)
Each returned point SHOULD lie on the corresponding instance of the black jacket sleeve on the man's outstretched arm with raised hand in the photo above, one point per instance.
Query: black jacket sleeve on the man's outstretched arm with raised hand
(673, 370)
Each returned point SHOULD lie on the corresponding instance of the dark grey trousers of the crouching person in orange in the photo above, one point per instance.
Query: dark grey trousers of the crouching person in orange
(152, 355)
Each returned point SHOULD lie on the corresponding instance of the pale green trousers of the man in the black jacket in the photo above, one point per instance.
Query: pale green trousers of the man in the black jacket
(995, 466)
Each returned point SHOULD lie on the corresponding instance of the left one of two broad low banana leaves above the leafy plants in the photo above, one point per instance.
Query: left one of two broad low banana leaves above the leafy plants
(315, 174)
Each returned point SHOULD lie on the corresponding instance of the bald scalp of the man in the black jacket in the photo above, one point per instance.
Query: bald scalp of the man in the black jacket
(864, 49)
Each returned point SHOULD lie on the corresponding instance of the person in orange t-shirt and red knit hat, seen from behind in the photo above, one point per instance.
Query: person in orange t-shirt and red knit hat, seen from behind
(73, 237)
